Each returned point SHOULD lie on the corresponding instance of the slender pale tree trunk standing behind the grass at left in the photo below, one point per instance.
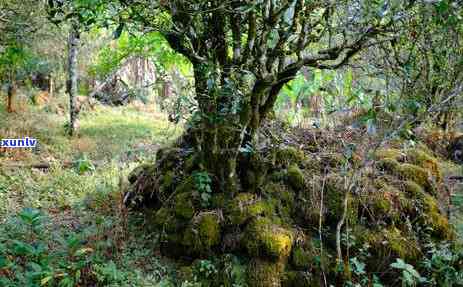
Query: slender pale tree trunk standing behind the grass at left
(72, 76)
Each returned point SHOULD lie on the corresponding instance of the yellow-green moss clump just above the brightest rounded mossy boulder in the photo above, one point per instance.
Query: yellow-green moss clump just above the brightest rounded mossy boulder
(246, 206)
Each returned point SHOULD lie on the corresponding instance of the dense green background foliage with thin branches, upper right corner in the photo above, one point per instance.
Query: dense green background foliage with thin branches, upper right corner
(422, 77)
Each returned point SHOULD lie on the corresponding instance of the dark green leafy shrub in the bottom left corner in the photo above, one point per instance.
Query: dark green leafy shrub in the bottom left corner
(32, 256)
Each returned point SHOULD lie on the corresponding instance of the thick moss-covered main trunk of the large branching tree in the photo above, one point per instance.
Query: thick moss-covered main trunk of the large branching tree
(230, 114)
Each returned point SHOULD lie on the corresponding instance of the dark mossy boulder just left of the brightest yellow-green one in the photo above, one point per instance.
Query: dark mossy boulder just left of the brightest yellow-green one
(203, 233)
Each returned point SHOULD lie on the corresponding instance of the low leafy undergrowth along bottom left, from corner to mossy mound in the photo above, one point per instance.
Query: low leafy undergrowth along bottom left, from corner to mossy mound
(35, 251)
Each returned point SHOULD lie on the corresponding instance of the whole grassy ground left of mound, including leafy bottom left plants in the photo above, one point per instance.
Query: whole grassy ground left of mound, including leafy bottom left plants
(88, 237)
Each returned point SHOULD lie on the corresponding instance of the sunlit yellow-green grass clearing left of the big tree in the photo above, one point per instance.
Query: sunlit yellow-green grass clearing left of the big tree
(113, 139)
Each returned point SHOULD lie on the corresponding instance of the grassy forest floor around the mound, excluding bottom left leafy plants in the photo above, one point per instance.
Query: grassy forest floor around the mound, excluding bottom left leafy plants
(79, 187)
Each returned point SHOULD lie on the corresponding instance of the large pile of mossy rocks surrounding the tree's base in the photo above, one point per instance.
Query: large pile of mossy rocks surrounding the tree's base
(389, 207)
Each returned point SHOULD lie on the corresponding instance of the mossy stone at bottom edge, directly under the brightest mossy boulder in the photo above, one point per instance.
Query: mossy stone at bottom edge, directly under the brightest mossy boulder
(263, 273)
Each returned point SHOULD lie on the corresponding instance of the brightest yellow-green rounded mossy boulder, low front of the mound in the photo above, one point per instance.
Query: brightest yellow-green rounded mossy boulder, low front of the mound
(263, 238)
